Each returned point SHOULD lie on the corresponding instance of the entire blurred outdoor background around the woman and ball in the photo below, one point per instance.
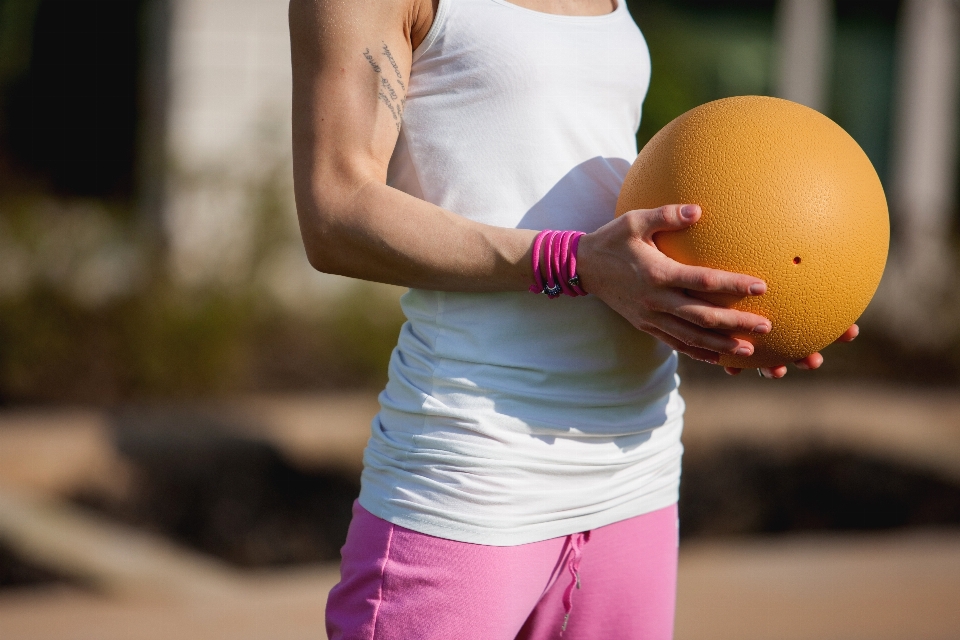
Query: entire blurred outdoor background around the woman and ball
(184, 401)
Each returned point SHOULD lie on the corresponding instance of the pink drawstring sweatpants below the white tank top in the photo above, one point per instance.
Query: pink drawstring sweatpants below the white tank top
(397, 584)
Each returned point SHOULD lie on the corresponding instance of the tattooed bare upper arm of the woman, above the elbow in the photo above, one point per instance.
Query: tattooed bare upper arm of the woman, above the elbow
(351, 62)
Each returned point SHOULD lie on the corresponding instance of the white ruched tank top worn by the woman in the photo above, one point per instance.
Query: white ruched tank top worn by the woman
(510, 418)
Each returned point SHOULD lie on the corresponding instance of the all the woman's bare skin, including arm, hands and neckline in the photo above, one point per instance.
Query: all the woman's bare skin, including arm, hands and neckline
(353, 224)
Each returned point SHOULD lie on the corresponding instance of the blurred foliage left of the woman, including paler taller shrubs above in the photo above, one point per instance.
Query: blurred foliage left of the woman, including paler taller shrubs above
(89, 313)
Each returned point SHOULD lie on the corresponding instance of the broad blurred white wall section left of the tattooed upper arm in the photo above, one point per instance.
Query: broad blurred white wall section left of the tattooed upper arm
(228, 144)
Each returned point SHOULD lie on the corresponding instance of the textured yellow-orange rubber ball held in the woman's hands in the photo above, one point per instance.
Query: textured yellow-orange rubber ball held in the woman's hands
(787, 196)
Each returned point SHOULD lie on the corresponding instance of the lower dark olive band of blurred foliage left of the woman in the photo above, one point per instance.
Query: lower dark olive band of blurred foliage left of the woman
(161, 341)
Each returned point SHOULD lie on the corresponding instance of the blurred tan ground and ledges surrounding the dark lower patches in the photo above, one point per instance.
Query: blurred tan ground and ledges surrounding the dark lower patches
(117, 581)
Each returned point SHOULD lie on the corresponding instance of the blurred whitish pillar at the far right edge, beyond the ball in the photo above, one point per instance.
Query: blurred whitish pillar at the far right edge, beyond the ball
(919, 297)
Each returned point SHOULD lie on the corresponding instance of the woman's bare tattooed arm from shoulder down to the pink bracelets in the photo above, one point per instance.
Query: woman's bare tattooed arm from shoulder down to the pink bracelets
(351, 61)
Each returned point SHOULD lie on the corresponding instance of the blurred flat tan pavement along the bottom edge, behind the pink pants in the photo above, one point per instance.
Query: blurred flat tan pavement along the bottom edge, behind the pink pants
(900, 587)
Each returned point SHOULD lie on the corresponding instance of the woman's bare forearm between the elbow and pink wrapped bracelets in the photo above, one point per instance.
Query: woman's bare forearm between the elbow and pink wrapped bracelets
(374, 232)
